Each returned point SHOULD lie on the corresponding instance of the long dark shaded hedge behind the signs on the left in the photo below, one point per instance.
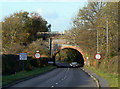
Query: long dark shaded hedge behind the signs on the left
(12, 64)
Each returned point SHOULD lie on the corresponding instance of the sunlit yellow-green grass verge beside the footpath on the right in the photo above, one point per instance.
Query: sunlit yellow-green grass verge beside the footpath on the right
(111, 78)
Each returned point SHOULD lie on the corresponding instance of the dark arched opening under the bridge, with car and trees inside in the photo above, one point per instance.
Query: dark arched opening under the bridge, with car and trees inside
(69, 57)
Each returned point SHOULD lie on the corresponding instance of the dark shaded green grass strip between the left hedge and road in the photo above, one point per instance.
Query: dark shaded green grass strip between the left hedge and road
(6, 79)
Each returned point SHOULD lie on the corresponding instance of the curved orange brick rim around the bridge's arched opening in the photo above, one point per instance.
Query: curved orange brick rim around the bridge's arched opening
(69, 46)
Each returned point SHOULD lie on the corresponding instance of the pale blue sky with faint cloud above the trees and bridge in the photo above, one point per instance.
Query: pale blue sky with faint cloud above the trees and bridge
(58, 14)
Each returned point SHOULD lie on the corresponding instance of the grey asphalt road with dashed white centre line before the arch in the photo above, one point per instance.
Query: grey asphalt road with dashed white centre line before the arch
(60, 77)
